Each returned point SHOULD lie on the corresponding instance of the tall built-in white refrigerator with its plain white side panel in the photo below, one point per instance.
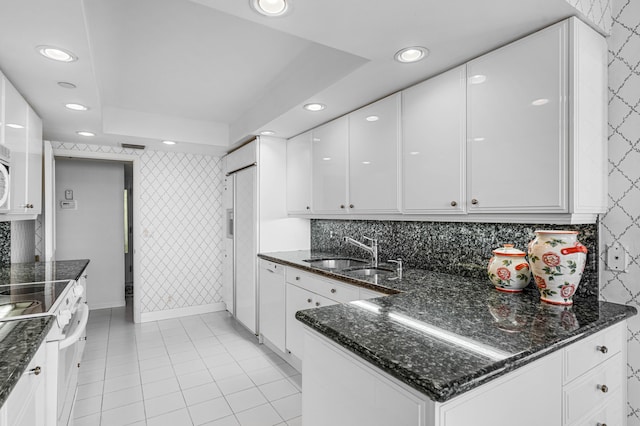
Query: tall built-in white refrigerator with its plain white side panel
(256, 221)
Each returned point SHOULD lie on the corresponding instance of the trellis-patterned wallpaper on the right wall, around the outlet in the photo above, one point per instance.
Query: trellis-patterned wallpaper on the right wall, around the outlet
(621, 223)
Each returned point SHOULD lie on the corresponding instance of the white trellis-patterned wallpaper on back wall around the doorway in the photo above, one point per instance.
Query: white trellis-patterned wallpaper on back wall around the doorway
(180, 233)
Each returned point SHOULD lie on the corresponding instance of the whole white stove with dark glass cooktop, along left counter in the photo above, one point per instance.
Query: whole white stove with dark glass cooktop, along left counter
(65, 300)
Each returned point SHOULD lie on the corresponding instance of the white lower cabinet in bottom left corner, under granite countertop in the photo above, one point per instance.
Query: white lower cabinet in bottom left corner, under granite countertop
(26, 404)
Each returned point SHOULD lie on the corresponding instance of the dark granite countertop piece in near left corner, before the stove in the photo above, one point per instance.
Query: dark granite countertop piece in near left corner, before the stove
(19, 342)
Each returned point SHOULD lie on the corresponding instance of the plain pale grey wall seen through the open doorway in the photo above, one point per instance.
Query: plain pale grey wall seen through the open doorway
(95, 230)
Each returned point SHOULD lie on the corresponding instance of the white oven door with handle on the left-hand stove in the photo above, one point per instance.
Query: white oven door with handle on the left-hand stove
(70, 350)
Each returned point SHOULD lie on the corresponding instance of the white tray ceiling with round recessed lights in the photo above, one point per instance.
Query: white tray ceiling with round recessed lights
(209, 73)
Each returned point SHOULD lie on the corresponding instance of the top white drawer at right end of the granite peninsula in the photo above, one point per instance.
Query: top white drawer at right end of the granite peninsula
(586, 354)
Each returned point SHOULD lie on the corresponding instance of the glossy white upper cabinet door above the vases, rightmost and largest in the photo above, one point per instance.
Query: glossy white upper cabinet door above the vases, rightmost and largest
(517, 142)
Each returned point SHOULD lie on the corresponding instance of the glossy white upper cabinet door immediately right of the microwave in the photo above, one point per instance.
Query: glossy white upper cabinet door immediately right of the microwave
(16, 140)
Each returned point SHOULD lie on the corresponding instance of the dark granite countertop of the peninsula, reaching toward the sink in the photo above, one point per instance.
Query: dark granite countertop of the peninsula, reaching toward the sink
(443, 334)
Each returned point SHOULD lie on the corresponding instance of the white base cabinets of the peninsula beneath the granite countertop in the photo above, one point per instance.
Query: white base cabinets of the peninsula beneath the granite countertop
(341, 389)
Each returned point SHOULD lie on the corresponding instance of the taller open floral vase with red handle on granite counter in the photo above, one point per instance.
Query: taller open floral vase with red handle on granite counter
(557, 261)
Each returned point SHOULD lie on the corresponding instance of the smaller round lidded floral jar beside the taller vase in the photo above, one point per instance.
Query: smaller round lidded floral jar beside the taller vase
(508, 270)
